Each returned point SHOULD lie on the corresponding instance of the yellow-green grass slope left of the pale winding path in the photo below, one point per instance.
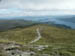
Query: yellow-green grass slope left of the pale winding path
(18, 35)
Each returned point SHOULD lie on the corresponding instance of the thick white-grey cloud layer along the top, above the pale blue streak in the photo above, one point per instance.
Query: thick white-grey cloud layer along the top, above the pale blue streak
(38, 4)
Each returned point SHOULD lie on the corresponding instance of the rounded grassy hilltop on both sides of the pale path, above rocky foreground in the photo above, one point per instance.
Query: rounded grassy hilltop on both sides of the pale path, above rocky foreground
(49, 34)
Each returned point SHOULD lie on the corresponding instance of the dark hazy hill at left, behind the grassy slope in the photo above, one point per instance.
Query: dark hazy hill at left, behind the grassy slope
(10, 24)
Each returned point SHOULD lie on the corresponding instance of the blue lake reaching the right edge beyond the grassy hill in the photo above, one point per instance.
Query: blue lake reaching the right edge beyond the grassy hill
(64, 22)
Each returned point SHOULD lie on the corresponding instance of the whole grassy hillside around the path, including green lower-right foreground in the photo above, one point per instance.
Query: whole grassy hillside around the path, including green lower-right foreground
(60, 39)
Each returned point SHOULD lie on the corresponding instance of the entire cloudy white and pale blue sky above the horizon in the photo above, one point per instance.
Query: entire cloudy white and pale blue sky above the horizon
(36, 7)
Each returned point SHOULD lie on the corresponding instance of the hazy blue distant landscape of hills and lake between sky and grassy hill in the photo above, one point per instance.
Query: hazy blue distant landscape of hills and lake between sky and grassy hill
(59, 21)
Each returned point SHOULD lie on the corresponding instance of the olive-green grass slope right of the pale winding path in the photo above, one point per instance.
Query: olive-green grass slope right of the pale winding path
(56, 35)
